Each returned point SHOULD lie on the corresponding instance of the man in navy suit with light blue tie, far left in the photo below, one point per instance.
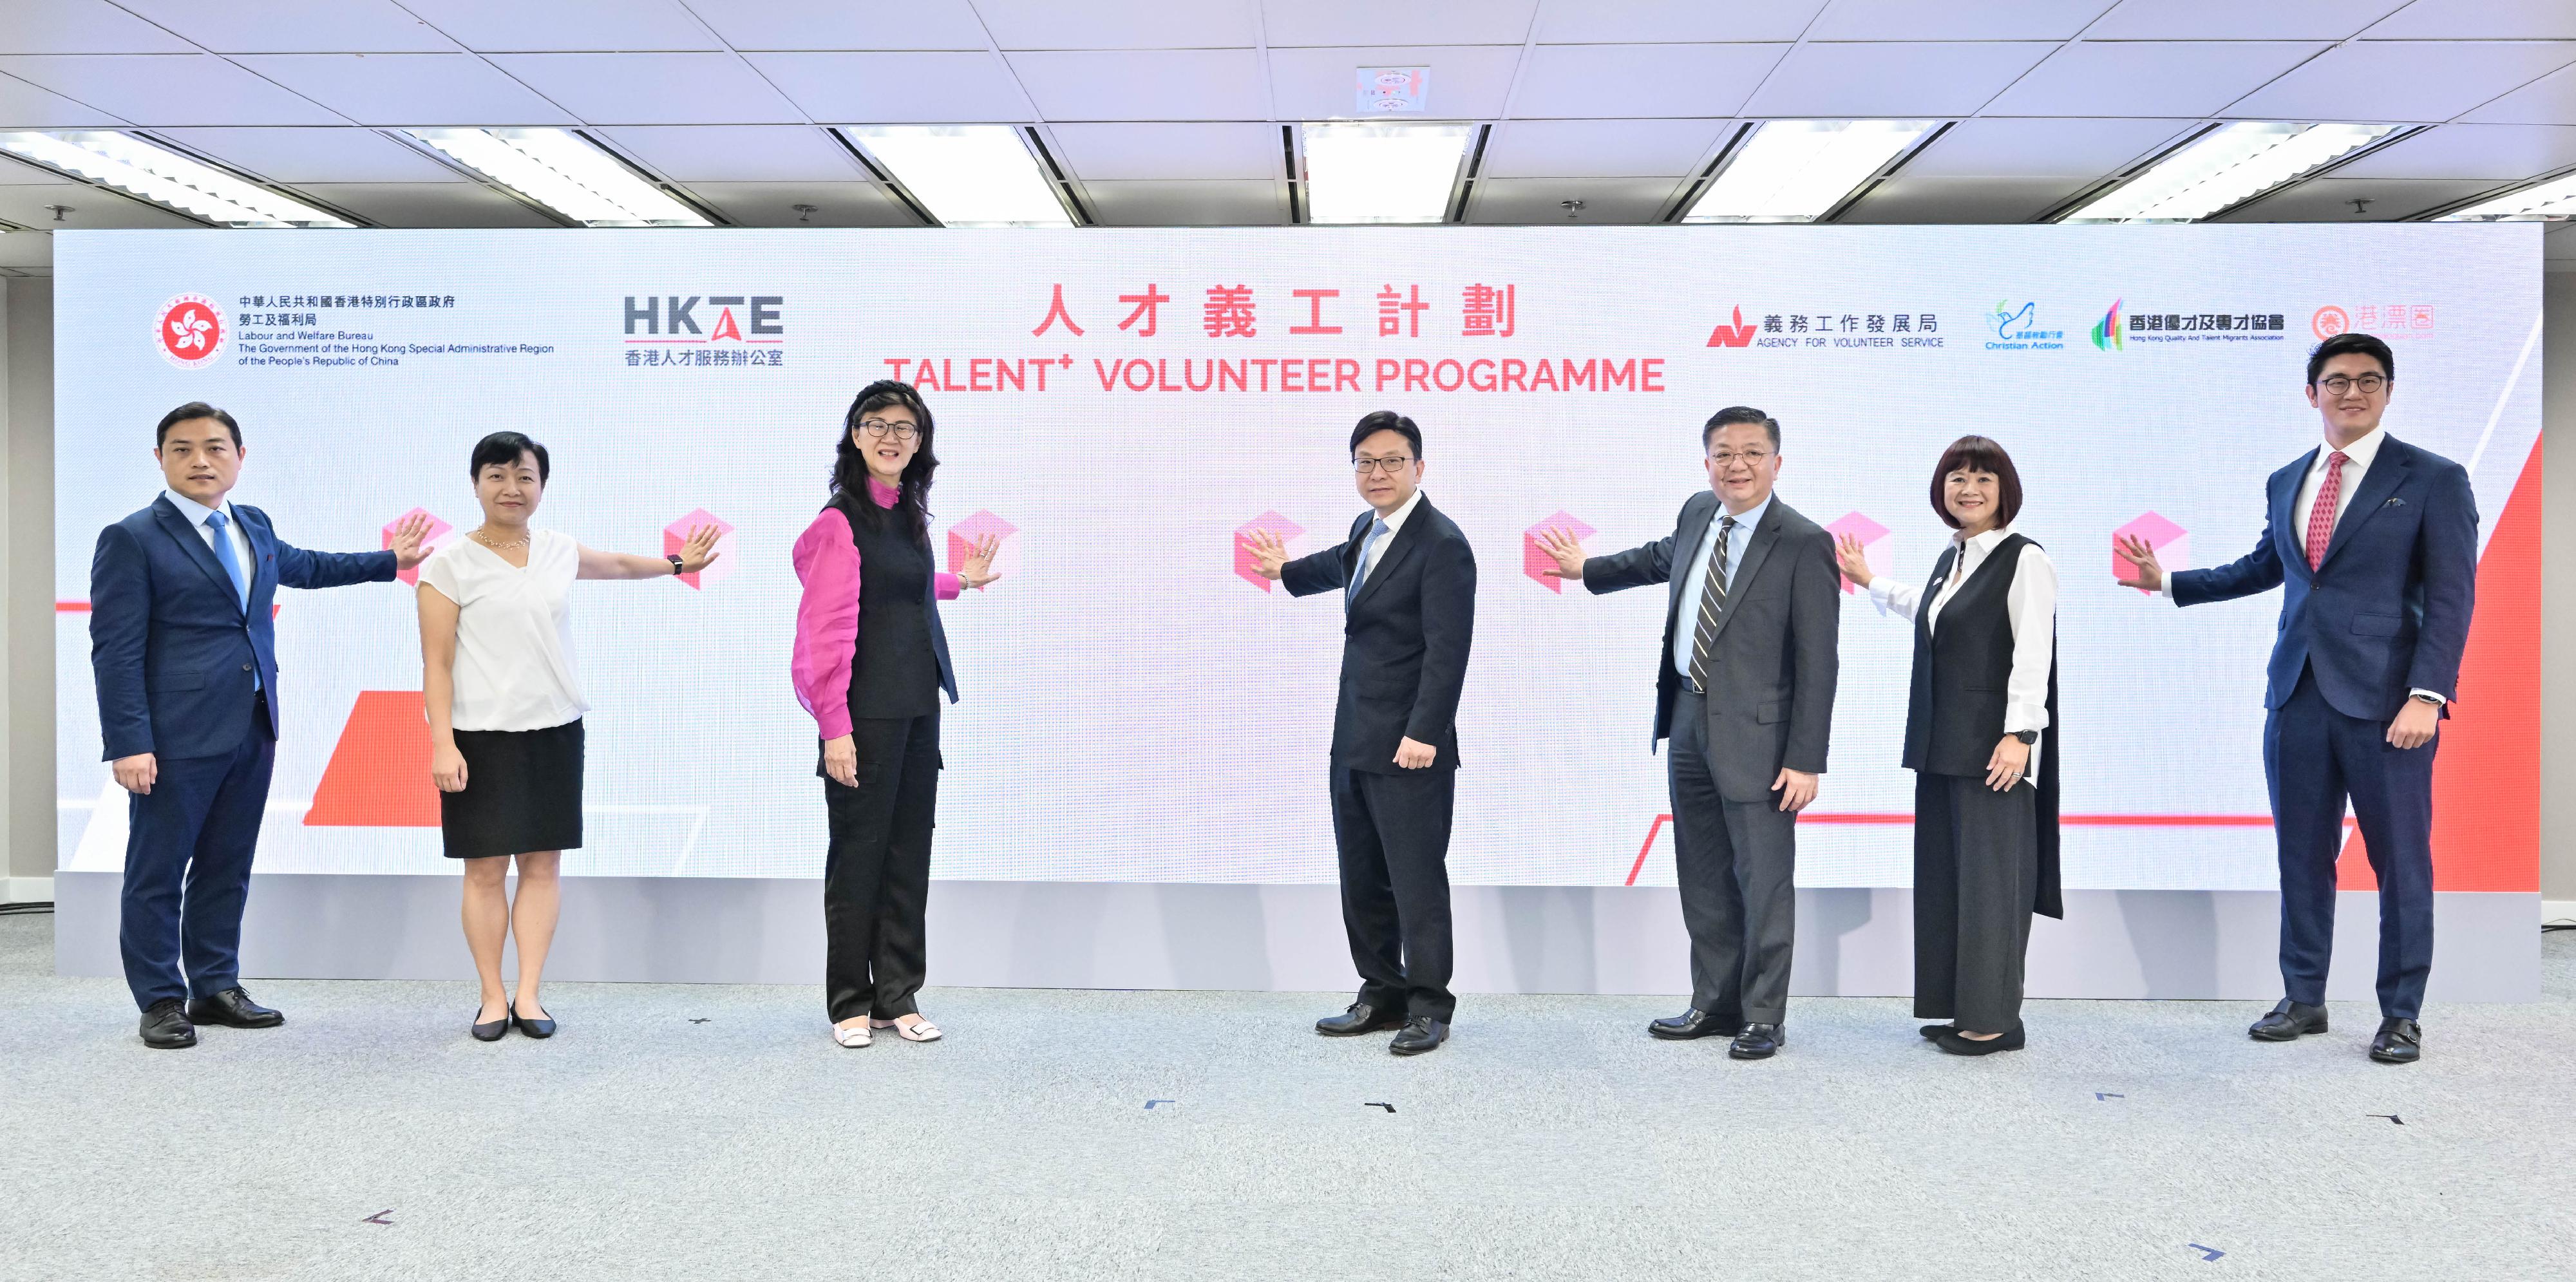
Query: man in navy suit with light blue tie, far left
(187, 676)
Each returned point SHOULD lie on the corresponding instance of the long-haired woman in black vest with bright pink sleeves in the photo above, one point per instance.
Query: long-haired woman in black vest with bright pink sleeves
(872, 665)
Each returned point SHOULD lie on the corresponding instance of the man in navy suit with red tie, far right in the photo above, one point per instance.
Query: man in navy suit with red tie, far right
(2376, 547)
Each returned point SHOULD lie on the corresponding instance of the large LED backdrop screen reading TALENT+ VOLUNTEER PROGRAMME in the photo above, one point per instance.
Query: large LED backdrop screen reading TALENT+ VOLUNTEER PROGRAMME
(1122, 405)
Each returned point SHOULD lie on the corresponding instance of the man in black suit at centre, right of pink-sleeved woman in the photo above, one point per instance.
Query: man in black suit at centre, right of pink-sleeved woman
(1408, 583)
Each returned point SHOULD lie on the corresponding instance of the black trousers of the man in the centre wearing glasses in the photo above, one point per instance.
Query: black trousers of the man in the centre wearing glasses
(1392, 833)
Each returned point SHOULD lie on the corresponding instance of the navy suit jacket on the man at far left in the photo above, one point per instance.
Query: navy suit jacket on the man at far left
(171, 645)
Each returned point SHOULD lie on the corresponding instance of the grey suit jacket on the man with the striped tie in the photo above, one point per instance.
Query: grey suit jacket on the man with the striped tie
(1774, 668)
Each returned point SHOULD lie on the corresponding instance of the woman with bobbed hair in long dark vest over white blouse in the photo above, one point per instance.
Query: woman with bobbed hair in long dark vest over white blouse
(1985, 750)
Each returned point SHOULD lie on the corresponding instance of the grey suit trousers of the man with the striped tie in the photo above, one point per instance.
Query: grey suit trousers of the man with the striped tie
(1738, 869)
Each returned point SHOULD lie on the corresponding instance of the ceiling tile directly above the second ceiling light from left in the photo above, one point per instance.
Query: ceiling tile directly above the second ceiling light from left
(411, 89)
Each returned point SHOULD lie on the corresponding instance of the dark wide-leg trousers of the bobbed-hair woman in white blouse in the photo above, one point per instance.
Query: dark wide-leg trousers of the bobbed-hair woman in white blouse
(1977, 869)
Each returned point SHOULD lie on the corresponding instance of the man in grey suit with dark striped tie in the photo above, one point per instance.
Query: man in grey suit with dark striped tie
(1745, 689)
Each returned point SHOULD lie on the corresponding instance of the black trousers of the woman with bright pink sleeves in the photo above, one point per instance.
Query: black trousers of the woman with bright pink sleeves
(877, 877)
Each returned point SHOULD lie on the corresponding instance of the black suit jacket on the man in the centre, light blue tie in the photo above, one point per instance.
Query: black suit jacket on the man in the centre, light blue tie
(1405, 640)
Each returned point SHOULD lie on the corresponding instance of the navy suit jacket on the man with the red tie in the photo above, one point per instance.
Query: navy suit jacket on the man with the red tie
(2387, 611)
